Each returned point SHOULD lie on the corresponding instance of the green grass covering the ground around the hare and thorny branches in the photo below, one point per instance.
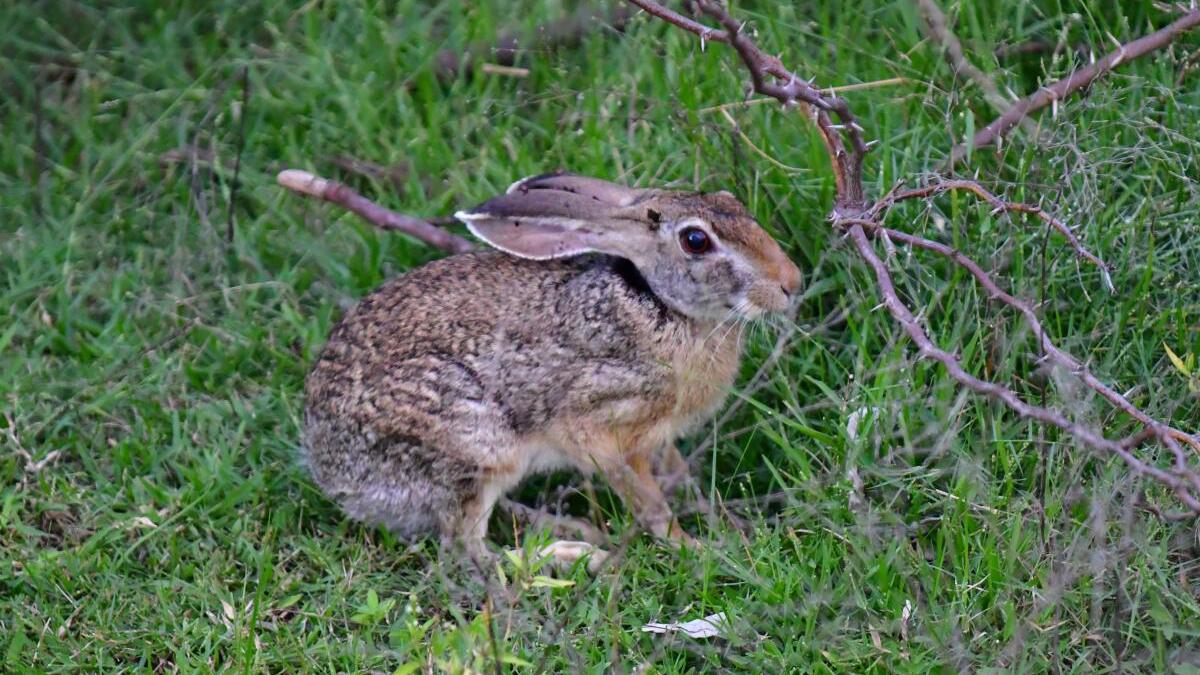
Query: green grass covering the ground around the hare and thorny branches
(158, 367)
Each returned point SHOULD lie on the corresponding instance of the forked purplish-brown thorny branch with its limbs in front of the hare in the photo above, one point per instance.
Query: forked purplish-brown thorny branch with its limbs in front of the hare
(862, 222)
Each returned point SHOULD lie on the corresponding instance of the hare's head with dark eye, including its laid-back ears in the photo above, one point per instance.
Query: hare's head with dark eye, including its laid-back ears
(703, 255)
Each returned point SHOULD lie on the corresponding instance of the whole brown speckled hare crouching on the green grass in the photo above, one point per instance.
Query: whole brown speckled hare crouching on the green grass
(605, 325)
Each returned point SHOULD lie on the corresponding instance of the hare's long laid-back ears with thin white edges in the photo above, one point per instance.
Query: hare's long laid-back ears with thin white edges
(562, 216)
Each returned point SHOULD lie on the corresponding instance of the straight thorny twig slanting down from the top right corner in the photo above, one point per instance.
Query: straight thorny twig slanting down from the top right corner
(1075, 82)
